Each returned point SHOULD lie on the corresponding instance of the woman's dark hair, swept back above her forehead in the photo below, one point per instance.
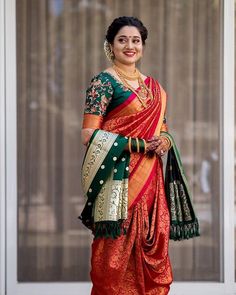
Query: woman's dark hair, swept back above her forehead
(122, 21)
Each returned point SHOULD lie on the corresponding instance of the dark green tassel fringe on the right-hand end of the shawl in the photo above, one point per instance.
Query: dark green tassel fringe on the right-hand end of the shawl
(180, 232)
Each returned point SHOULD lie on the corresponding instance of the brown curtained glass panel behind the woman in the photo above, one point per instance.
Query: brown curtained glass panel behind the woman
(59, 50)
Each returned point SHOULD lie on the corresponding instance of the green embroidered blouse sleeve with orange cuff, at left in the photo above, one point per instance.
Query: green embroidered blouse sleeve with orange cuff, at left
(98, 97)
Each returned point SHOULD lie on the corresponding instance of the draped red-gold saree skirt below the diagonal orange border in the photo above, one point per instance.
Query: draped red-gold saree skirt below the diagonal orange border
(136, 263)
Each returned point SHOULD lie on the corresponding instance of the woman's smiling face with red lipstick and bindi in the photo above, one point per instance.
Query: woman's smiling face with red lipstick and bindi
(127, 45)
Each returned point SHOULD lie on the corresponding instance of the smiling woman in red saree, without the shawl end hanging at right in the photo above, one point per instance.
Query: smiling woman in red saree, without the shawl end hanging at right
(126, 135)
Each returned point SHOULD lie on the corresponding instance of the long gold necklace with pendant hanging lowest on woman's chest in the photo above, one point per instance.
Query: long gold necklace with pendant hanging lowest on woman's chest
(144, 91)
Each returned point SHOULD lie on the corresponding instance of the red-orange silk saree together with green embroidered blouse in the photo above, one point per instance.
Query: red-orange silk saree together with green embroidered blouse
(137, 262)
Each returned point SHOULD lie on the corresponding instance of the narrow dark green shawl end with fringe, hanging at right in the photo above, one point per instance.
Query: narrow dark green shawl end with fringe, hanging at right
(183, 221)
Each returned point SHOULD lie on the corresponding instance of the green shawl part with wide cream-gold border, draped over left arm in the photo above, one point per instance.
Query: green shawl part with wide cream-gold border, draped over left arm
(105, 173)
